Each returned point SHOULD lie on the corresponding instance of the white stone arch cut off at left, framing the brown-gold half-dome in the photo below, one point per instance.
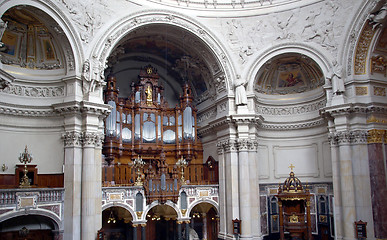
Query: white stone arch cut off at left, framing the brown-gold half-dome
(72, 50)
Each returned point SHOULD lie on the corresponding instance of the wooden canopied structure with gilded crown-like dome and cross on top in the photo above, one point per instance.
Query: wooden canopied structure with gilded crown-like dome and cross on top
(294, 209)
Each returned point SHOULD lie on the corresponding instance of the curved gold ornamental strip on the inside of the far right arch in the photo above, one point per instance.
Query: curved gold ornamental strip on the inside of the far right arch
(362, 49)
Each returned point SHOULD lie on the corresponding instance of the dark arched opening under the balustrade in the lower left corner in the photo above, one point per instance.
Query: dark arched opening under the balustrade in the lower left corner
(28, 227)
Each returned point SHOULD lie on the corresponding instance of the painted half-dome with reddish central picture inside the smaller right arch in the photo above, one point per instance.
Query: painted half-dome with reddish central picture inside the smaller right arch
(289, 74)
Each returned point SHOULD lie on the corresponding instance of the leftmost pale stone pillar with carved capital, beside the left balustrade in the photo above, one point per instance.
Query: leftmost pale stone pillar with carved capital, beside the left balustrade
(72, 184)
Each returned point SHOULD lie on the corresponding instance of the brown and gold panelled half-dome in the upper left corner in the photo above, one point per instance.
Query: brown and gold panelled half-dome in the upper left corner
(29, 40)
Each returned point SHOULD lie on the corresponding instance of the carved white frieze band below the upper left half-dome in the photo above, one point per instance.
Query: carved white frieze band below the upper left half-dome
(26, 91)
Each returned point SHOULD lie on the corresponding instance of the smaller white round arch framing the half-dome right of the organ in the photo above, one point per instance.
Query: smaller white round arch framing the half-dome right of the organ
(321, 57)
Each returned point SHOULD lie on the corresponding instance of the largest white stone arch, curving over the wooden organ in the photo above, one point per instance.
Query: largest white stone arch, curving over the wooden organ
(120, 29)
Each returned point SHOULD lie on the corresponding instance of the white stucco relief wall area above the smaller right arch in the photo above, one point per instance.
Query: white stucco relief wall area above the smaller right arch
(308, 24)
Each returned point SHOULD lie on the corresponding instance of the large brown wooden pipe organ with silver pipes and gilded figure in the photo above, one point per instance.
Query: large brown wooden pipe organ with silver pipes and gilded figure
(148, 143)
